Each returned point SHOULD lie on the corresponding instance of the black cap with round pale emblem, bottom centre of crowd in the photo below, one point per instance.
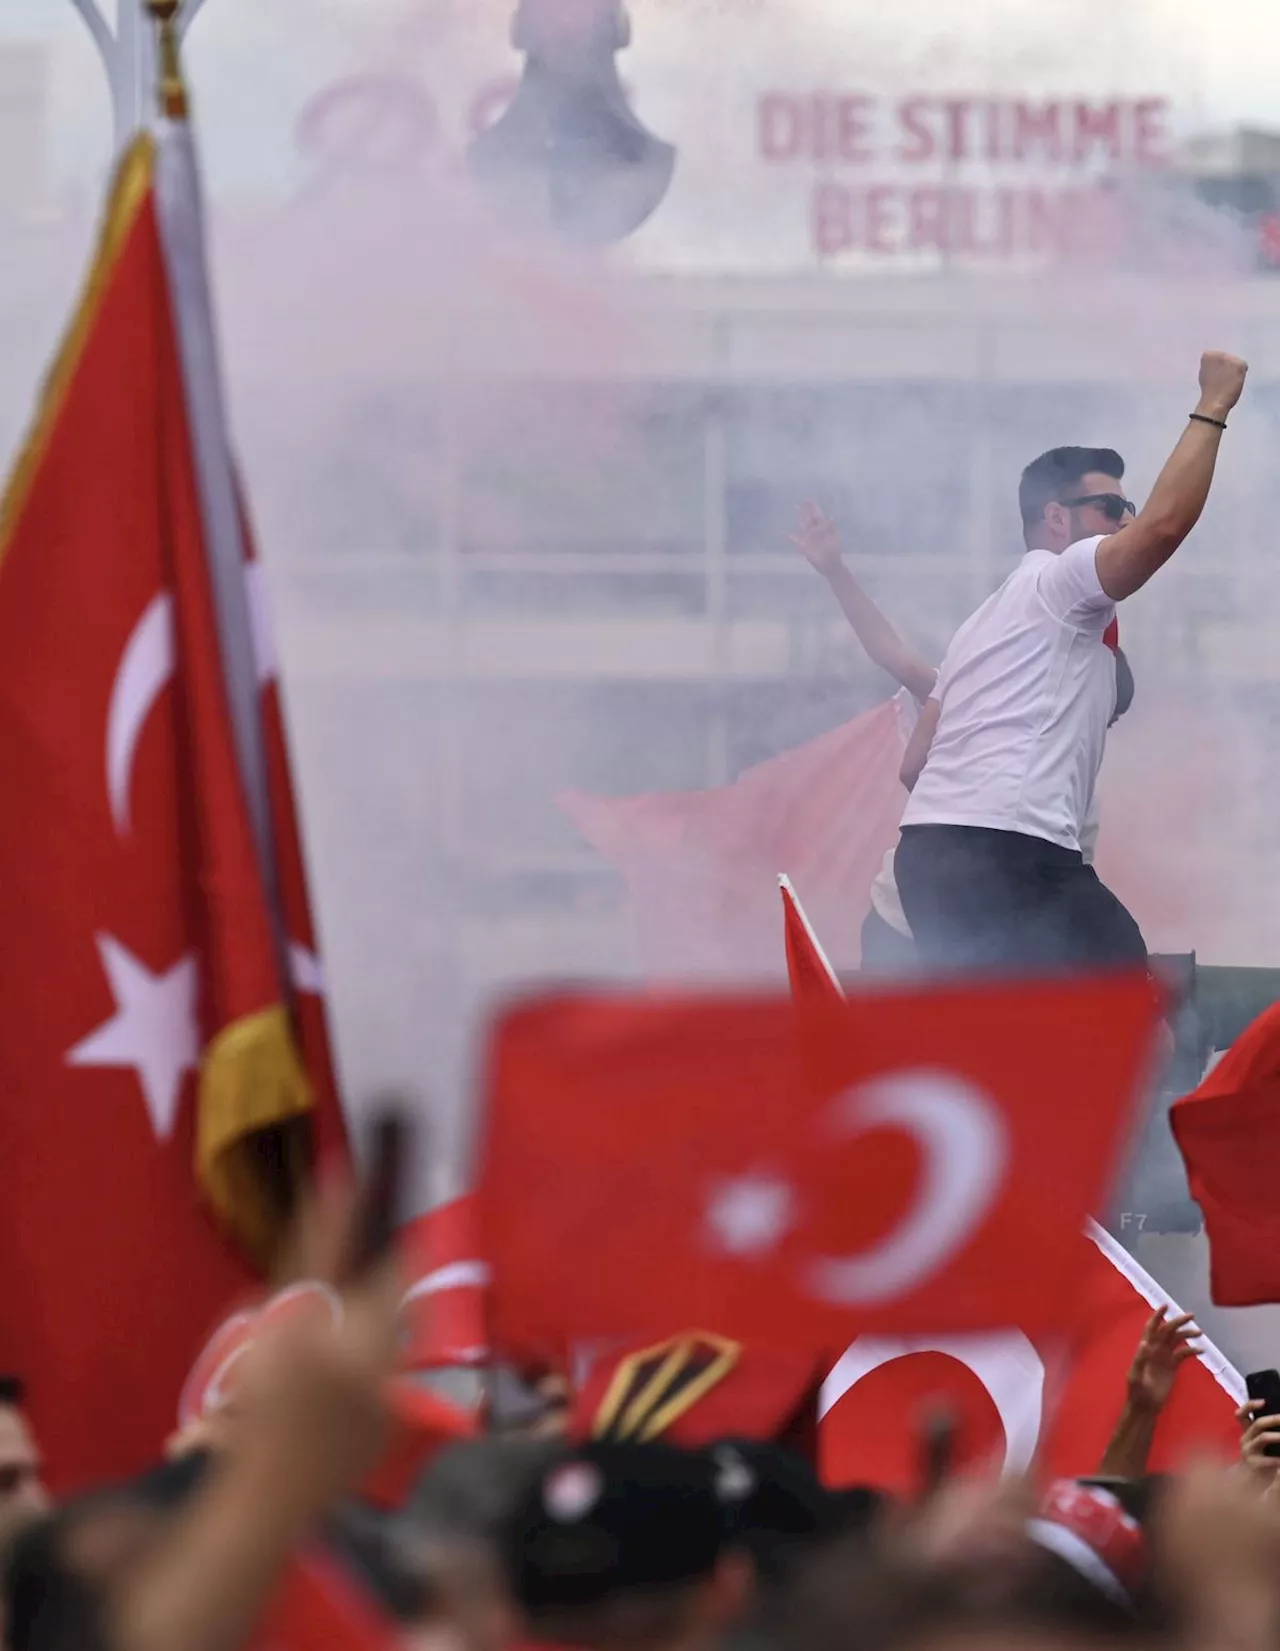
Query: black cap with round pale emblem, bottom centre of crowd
(607, 1520)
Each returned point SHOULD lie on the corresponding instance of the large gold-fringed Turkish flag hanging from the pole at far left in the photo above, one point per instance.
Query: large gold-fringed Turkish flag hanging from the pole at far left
(135, 922)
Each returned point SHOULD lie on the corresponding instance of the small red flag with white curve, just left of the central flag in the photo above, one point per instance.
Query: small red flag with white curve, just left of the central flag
(445, 1307)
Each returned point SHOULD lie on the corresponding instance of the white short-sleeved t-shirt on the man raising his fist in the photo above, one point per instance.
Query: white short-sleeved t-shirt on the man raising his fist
(1026, 696)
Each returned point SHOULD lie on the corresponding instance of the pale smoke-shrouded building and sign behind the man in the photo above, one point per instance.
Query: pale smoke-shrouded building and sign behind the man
(523, 506)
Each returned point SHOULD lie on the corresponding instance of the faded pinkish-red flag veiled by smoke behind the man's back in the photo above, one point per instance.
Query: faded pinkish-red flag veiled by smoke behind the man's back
(703, 866)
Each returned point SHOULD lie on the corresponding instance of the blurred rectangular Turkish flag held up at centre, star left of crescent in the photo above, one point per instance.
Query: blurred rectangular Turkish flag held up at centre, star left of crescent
(917, 1160)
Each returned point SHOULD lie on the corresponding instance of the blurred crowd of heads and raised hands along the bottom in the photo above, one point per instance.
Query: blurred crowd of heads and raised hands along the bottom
(551, 1535)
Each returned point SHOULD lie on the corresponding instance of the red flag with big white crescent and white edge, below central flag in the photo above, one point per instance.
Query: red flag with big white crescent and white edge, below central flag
(995, 1386)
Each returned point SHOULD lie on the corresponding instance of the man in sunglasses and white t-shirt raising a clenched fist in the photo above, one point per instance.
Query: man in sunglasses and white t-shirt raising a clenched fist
(1007, 754)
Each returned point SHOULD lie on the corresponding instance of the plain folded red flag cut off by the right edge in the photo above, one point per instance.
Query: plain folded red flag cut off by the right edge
(1230, 1137)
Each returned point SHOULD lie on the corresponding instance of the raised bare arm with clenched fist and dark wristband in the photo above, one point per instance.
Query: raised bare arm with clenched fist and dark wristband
(1129, 559)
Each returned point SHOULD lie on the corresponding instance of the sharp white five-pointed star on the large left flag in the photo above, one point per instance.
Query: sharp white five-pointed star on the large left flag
(154, 1029)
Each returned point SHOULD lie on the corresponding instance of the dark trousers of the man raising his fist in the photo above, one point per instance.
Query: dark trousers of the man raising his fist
(997, 901)
